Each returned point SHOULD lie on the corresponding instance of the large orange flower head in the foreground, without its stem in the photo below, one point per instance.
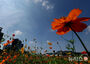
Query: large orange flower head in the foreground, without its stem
(71, 22)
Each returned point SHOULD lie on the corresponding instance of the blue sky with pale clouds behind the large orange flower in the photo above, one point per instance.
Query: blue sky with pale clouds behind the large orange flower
(32, 19)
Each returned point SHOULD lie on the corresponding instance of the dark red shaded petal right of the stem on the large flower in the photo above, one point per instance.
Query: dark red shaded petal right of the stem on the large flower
(78, 27)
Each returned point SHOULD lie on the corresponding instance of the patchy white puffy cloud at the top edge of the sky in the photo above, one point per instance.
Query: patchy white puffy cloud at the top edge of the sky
(45, 3)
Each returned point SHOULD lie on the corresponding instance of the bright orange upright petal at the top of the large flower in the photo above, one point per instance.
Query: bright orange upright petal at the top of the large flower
(74, 14)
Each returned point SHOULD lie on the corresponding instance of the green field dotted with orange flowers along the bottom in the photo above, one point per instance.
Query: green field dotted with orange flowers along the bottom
(21, 57)
